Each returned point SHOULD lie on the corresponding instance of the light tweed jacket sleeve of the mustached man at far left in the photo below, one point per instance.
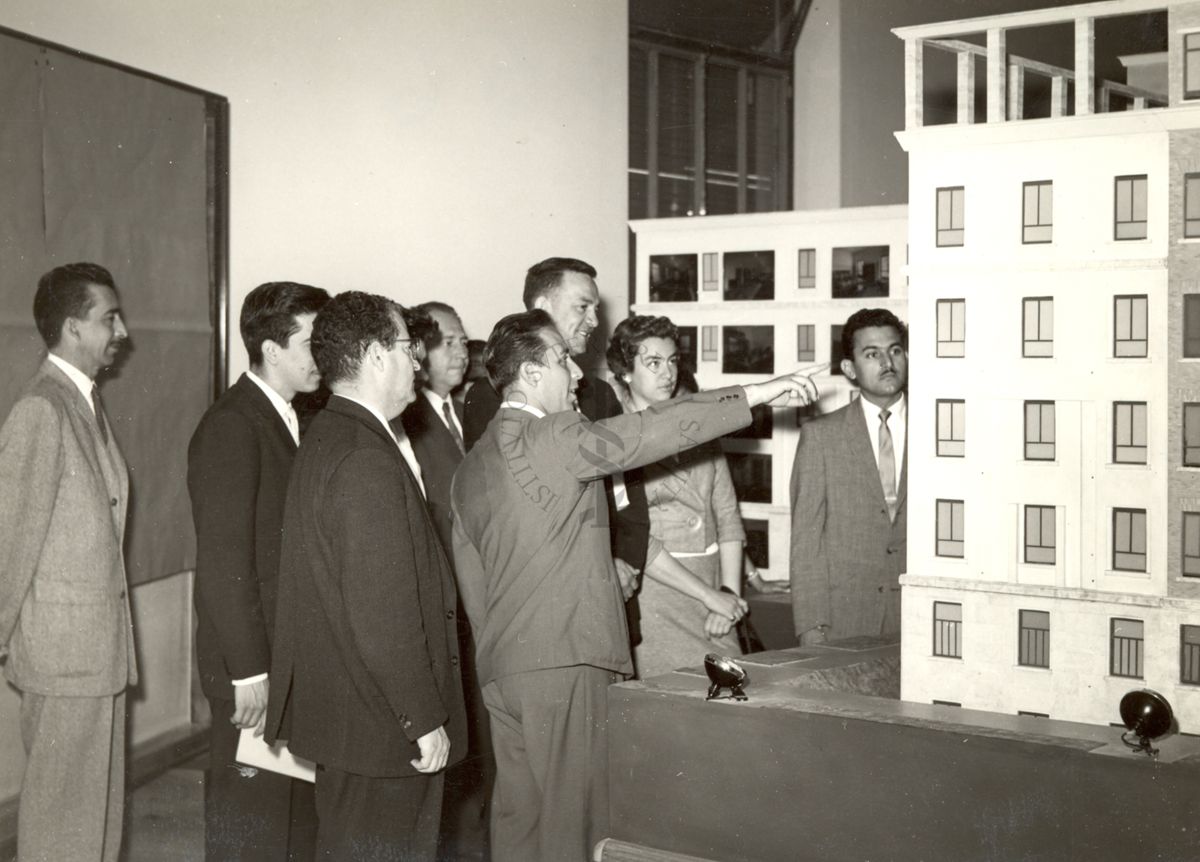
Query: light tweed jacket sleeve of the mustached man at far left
(31, 460)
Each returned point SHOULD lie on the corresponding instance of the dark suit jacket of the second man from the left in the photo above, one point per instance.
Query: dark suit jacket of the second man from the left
(238, 468)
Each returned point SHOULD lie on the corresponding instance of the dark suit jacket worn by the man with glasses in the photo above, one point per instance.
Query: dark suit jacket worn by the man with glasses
(365, 639)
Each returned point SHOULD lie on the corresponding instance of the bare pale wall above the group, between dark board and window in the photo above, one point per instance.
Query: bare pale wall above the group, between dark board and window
(427, 149)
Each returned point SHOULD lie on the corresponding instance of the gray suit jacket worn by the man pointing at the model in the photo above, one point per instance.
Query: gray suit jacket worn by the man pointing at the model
(533, 560)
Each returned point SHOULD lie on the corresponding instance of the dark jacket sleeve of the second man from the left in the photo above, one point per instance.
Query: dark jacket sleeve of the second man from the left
(223, 478)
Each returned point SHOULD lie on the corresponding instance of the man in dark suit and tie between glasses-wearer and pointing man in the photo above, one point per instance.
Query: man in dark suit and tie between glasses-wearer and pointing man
(434, 426)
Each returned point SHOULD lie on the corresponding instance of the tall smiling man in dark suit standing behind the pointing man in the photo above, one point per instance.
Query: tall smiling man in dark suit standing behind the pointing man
(566, 290)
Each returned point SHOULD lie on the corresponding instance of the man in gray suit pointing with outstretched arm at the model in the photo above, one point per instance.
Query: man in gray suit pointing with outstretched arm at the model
(538, 582)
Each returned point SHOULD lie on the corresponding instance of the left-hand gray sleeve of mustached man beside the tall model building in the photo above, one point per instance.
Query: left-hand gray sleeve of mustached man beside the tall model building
(811, 564)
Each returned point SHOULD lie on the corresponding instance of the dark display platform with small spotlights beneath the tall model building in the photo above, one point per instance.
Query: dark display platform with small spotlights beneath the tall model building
(811, 768)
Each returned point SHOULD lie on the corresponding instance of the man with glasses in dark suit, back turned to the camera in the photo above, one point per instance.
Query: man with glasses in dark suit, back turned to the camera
(365, 668)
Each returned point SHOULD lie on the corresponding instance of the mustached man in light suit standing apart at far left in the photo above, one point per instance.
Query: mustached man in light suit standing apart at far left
(65, 632)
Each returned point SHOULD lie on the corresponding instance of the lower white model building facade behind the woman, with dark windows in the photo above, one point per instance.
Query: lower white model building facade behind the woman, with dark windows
(764, 295)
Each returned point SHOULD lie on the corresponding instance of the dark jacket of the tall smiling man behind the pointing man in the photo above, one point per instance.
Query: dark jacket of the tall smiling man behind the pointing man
(631, 526)
